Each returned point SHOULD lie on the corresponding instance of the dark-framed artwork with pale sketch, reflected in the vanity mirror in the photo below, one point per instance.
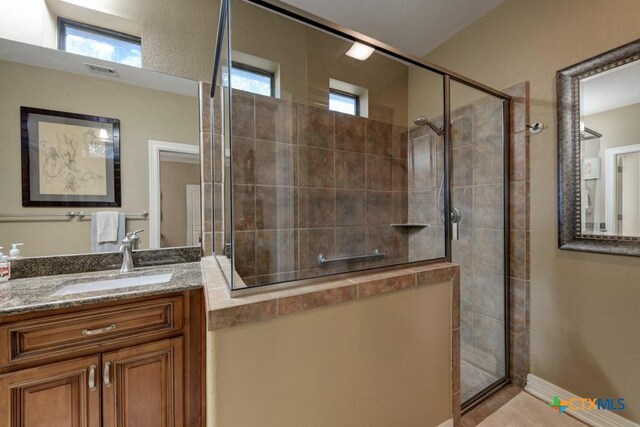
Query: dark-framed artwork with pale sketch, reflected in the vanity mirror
(69, 159)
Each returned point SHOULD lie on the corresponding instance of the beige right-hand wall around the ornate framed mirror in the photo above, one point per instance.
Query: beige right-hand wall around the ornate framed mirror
(584, 307)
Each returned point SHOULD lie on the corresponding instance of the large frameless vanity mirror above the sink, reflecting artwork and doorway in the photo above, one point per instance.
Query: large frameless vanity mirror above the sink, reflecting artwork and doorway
(156, 174)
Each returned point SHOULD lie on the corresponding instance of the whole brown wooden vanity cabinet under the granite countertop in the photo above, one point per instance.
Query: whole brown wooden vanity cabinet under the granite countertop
(143, 372)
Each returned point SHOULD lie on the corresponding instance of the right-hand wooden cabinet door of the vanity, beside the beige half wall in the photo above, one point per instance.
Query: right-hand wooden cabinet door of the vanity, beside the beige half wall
(143, 385)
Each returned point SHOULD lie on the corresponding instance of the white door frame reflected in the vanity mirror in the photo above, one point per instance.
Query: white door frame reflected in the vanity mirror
(155, 148)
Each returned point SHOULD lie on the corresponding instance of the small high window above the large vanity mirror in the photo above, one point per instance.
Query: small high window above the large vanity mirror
(96, 42)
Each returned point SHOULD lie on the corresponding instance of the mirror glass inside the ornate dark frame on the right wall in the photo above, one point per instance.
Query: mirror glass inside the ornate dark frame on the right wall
(610, 152)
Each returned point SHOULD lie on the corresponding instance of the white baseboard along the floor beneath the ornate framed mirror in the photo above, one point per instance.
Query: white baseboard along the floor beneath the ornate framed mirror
(546, 391)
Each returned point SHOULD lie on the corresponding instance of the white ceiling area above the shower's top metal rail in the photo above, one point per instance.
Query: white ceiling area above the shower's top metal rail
(415, 26)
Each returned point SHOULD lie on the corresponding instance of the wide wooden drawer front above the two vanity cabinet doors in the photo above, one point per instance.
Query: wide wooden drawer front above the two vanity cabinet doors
(59, 334)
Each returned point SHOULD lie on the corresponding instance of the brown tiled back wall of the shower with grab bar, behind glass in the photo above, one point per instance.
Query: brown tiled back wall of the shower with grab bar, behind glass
(309, 181)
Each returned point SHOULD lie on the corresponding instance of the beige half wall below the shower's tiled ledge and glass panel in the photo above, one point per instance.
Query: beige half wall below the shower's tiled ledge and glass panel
(383, 361)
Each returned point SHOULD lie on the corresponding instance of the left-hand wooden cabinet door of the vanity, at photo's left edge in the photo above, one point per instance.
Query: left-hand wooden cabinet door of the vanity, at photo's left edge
(58, 395)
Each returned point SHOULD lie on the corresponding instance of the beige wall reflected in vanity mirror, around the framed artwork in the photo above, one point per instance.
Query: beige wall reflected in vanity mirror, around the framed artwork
(144, 114)
